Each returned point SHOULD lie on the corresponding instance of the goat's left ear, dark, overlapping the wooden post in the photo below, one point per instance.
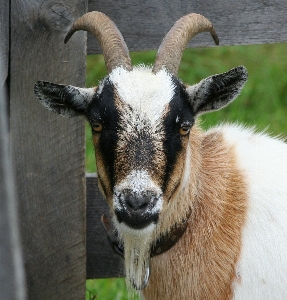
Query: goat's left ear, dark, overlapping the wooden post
(65, 100)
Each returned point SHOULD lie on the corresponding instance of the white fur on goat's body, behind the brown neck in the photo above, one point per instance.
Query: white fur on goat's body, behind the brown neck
(262, 268)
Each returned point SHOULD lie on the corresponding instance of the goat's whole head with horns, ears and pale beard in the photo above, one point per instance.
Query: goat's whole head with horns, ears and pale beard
(141, 121)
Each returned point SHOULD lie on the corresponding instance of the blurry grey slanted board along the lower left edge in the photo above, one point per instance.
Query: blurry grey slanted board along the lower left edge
(11, 264)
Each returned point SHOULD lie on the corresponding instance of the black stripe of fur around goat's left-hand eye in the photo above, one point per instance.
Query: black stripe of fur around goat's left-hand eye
(104, 111)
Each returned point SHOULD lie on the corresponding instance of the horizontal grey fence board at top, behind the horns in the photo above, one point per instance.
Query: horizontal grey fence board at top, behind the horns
(143, 24)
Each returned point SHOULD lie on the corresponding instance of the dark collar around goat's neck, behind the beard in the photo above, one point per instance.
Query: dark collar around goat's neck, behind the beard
(163, 244)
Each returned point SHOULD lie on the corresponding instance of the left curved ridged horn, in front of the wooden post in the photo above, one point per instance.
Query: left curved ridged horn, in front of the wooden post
(114, 48)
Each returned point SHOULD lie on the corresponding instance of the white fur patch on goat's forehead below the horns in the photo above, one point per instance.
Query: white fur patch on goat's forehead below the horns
(144, 91)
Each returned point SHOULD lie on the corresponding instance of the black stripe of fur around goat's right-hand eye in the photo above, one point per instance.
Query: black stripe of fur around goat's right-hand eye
(180, 114)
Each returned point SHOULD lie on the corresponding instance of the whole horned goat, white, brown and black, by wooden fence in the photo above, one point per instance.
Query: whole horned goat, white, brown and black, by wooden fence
(205, 211)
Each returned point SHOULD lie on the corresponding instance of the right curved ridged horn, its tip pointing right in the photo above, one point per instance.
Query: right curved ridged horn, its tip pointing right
(170, 51)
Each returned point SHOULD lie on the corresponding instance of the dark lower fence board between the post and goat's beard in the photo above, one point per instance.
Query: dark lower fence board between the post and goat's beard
(102, 262)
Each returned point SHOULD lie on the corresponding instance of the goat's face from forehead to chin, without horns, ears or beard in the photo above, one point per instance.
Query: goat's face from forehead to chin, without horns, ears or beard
(144, 120)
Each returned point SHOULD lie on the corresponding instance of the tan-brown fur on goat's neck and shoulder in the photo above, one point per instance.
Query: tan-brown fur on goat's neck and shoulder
(202, 265)
